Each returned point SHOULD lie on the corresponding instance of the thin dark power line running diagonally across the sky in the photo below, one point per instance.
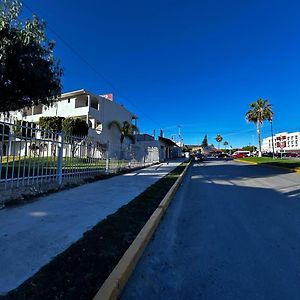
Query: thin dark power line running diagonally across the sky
(85, 61)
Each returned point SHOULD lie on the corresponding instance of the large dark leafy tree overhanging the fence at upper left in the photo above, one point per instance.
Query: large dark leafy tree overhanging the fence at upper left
(29, 74)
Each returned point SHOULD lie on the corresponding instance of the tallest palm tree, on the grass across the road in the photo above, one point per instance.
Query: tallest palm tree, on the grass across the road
(259, 111)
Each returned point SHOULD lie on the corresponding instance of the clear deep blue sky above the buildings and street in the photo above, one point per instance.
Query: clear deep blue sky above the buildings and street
(193, 64)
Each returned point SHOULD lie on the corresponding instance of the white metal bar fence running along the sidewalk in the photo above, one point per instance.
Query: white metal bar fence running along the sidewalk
(30, 155)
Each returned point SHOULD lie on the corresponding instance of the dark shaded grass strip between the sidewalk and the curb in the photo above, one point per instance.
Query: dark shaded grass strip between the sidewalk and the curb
(79, 272)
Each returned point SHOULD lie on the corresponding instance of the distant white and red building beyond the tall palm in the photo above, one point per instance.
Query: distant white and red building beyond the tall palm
(283, 142)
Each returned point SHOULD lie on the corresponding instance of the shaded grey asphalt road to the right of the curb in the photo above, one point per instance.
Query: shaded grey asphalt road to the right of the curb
(231, 232)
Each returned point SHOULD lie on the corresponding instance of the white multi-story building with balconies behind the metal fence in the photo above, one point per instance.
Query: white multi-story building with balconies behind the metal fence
(97, 110)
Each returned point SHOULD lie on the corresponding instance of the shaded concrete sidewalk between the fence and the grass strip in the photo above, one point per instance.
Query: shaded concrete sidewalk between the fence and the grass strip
(32, 234)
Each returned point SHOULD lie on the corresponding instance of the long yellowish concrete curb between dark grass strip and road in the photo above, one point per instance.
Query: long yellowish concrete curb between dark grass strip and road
(113, 285)
